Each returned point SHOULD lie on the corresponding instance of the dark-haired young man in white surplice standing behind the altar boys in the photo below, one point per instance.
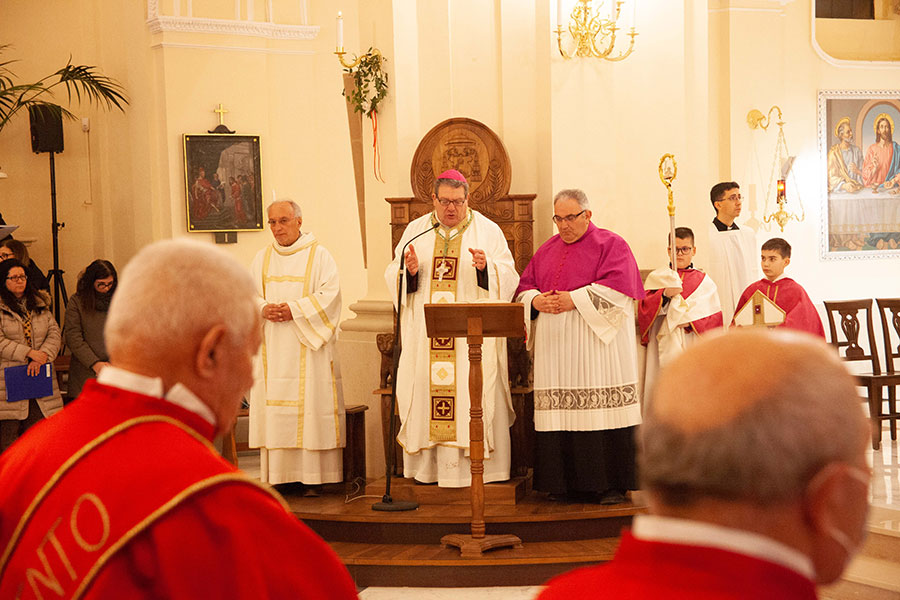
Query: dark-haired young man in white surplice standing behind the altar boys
(732, 250)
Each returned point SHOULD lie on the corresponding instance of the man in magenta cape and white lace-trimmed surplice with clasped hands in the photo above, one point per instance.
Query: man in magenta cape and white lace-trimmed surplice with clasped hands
(579, 291)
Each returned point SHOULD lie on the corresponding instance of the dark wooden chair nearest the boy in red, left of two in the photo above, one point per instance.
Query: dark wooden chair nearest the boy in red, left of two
(846, 313)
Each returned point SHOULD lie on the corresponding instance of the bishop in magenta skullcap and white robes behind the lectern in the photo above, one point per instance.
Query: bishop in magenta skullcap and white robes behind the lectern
(462, 257)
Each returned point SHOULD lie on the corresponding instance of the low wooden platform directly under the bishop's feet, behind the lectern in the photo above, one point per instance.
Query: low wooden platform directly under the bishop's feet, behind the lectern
(503, 492)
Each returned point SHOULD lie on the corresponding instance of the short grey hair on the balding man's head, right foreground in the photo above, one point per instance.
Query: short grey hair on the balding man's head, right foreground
(802, 421)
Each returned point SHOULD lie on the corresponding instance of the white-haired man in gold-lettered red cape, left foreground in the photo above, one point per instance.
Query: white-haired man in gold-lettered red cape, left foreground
(149, 509)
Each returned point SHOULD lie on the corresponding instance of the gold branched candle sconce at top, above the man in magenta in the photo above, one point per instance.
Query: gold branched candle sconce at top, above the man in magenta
(593, 31)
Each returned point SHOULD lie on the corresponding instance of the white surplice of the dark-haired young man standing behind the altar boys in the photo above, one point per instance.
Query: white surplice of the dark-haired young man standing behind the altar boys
(733, 265)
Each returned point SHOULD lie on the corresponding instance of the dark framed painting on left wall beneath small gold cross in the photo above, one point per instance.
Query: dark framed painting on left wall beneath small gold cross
(223, 184)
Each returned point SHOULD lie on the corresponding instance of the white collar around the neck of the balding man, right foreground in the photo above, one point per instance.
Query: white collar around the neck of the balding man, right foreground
(654, 528)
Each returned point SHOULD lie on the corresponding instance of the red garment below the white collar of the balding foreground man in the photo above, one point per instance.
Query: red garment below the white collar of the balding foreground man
(666, 571)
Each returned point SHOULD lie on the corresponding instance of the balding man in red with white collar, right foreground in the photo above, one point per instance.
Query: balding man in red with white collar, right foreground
(753, 460)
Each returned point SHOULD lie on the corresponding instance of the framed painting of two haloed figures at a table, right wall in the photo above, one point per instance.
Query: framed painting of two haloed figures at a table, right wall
(860, 173)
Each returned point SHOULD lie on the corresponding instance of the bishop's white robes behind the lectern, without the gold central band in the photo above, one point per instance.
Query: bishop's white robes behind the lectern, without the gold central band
(447, 462)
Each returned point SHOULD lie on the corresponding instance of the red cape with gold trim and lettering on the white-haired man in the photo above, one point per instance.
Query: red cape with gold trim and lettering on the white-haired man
(203, 530)
